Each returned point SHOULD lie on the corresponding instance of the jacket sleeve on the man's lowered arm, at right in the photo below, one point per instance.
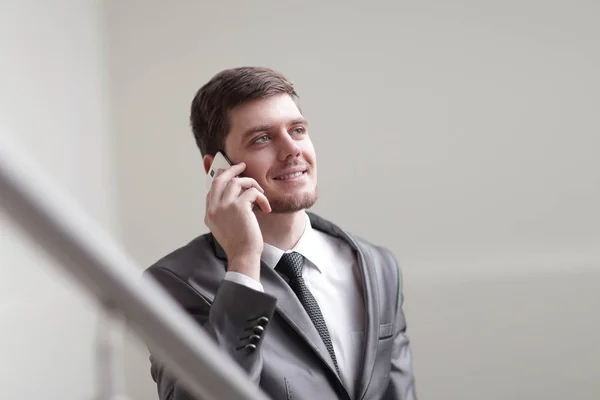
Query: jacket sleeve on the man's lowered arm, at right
(402, 381)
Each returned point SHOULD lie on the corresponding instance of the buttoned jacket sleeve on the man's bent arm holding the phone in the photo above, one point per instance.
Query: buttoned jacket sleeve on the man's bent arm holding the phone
(237, 320)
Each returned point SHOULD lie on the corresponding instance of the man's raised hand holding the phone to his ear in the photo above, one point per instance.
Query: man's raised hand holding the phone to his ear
(230, 217)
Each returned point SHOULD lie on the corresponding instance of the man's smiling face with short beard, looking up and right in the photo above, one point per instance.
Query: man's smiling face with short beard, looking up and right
(270, 135)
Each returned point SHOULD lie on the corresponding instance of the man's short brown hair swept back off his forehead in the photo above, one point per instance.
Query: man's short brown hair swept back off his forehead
(226, 90)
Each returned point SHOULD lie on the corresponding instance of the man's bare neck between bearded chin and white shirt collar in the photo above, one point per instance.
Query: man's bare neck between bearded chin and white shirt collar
(282, 230)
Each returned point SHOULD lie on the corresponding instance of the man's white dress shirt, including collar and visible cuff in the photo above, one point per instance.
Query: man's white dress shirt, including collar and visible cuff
(331, 274)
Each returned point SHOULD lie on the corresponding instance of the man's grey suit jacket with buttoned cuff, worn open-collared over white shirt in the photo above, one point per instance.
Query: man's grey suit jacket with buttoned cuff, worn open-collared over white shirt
(270, 335)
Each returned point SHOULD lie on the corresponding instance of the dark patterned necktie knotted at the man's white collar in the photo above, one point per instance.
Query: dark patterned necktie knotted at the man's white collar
(291, 265)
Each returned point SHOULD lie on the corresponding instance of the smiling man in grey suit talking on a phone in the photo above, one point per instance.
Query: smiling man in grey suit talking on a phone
(308, 310)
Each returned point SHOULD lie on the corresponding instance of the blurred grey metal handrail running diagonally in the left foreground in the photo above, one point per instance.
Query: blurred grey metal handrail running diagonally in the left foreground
(93, 259)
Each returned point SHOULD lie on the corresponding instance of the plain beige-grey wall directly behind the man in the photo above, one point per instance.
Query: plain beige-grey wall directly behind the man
(462, 135)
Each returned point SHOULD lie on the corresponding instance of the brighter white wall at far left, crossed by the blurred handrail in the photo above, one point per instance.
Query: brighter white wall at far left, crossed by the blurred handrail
(53, 99)
